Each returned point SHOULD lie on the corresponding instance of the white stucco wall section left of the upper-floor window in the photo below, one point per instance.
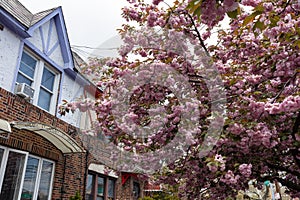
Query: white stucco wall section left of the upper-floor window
(9, 51)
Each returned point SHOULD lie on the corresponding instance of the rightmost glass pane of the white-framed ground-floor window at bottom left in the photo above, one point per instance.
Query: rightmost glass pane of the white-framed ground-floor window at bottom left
(45, 181)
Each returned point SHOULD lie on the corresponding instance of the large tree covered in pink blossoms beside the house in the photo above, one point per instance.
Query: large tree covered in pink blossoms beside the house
(257, 60)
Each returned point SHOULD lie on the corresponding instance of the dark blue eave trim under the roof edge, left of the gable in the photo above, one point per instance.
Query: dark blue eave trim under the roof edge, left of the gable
(14, 25)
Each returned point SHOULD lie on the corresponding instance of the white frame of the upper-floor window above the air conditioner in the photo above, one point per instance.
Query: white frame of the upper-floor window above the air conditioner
(37, 81)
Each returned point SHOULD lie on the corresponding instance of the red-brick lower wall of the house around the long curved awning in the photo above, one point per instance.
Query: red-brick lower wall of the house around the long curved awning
(69, 168)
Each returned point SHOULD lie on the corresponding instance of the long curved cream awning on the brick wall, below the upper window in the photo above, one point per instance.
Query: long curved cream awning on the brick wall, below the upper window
(58, 138)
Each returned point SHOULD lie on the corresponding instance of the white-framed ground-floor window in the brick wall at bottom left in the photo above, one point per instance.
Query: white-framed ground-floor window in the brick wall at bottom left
(24, 177)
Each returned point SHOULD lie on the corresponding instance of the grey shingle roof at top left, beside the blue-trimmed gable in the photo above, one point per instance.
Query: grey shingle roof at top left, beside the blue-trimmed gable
(22, 14)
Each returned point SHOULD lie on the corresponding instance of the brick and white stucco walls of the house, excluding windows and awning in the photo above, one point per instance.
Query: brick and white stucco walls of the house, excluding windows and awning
(70, 169)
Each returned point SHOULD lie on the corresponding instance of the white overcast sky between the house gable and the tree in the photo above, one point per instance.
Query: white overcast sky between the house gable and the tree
(89, 22)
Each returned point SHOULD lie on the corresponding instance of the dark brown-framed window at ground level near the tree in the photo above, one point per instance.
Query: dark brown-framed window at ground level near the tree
(100, 187)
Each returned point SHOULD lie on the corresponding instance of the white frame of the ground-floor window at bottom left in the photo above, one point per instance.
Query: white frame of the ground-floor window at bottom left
(38, 177)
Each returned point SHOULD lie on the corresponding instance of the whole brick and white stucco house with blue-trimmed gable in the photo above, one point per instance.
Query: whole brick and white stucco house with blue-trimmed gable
(42, 155)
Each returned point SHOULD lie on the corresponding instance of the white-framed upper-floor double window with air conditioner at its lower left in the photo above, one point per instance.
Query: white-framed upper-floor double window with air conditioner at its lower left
(42, 78)
